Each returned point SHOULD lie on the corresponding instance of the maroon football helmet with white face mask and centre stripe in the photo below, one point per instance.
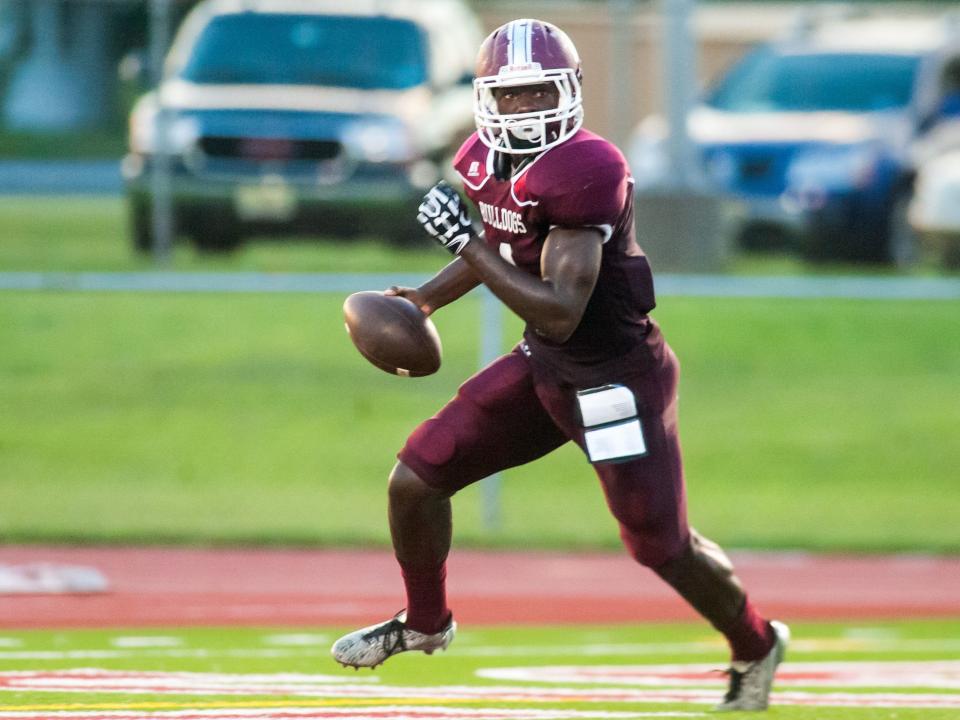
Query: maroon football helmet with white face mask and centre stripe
(527, 52)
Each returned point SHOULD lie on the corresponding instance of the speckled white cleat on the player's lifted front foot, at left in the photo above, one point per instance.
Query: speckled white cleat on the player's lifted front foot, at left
(370, 646)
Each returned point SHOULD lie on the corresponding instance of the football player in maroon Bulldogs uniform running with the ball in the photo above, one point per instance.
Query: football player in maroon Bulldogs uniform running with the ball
(558, 248)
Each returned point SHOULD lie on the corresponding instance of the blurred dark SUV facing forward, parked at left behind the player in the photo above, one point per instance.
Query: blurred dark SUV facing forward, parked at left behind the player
(321, 117)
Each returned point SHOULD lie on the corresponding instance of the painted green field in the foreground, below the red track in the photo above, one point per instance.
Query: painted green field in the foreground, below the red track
(874, 671)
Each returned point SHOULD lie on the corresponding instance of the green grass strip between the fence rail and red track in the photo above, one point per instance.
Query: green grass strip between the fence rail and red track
(222, 418)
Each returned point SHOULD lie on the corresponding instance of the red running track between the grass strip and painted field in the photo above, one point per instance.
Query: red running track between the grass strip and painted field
(165, 586)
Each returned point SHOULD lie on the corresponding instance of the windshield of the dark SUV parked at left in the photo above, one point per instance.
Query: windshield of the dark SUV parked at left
(340, 51)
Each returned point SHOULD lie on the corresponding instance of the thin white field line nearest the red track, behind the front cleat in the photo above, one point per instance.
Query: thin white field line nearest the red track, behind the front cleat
(852, 644)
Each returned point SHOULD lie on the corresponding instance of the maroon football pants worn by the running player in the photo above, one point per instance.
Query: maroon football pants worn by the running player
(512, 412)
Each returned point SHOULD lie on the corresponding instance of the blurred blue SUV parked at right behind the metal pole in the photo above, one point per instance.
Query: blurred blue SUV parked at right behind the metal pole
(814, 134)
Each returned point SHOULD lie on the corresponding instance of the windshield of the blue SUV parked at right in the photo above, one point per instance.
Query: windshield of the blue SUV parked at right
(768, 81)
